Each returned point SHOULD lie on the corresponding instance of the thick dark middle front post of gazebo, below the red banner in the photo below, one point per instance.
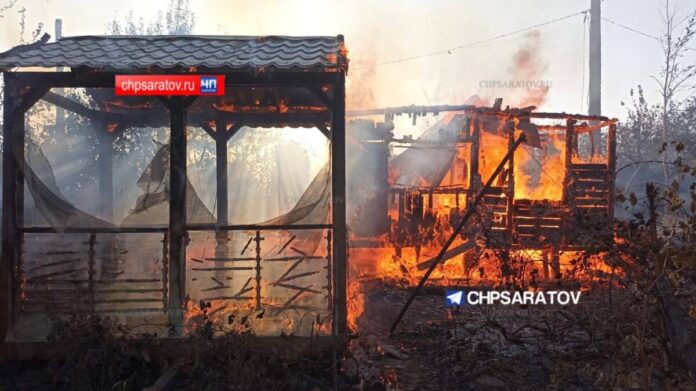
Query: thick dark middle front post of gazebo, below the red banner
(177, 211)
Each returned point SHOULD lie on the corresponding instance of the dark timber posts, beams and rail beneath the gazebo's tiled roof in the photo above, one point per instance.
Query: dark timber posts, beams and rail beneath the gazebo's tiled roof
(24, 89)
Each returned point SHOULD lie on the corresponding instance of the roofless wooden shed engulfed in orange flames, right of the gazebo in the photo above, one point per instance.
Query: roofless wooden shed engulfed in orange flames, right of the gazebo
(551, 199)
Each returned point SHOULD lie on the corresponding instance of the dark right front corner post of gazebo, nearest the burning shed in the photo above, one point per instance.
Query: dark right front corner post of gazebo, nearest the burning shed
(338, 205)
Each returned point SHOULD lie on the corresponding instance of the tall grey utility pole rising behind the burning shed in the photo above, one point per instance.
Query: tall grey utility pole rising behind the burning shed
(595, 90)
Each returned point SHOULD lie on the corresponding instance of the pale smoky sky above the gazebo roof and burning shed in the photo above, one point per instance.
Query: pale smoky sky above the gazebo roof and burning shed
(381, 31)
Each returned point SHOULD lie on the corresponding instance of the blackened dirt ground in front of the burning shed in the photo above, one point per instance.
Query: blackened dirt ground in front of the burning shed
(482, 348)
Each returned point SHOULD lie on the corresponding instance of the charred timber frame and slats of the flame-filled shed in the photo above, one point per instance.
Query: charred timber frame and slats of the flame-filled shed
(574, 125)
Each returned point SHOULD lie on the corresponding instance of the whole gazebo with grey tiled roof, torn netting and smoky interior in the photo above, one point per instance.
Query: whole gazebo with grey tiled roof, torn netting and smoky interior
(103, 204)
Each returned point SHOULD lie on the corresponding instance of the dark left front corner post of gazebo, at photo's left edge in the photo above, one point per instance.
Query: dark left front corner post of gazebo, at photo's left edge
(13, 202)
